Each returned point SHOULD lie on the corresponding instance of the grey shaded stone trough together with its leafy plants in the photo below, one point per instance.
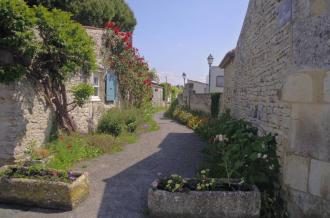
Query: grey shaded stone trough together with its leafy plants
(204, 197)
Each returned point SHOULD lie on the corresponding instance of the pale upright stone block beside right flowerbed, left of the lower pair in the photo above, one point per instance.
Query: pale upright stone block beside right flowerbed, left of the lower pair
(296, 172)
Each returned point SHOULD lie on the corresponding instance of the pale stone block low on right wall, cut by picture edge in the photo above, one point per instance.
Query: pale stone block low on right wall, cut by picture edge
(319, 179)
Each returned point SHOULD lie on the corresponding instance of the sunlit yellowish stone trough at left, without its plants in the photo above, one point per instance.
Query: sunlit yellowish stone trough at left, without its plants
(45, 194)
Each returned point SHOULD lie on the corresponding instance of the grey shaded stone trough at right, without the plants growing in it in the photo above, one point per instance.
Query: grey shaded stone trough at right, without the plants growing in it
(206, 204)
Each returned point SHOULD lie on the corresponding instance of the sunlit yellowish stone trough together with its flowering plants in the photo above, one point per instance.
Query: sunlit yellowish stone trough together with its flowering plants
(41, 187)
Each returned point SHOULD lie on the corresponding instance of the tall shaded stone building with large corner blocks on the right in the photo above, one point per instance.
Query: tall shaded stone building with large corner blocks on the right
(278, 78)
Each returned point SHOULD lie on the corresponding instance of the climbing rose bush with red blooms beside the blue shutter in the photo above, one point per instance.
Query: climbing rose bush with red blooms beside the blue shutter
(134, 76)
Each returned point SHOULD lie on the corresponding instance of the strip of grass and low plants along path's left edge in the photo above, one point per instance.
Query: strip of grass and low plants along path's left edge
(68, 150)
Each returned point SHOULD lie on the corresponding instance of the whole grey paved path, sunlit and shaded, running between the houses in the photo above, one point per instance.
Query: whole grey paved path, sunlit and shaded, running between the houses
(119, 182)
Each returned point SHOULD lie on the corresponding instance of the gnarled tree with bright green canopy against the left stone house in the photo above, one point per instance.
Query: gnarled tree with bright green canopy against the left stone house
(47, 48)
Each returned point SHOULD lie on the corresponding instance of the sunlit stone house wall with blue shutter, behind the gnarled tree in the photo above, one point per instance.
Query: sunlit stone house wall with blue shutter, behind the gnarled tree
(25, 119)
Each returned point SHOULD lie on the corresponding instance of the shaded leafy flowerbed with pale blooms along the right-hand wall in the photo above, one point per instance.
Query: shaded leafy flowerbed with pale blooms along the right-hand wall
(236, 150)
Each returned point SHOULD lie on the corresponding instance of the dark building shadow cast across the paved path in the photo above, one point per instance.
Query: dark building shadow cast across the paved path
(125, 194)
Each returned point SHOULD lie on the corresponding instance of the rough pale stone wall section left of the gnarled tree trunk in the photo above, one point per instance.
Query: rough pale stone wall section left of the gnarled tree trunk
(24, 120)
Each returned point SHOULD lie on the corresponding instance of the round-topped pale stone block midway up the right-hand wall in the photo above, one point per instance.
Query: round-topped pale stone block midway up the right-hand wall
(298, 88)
